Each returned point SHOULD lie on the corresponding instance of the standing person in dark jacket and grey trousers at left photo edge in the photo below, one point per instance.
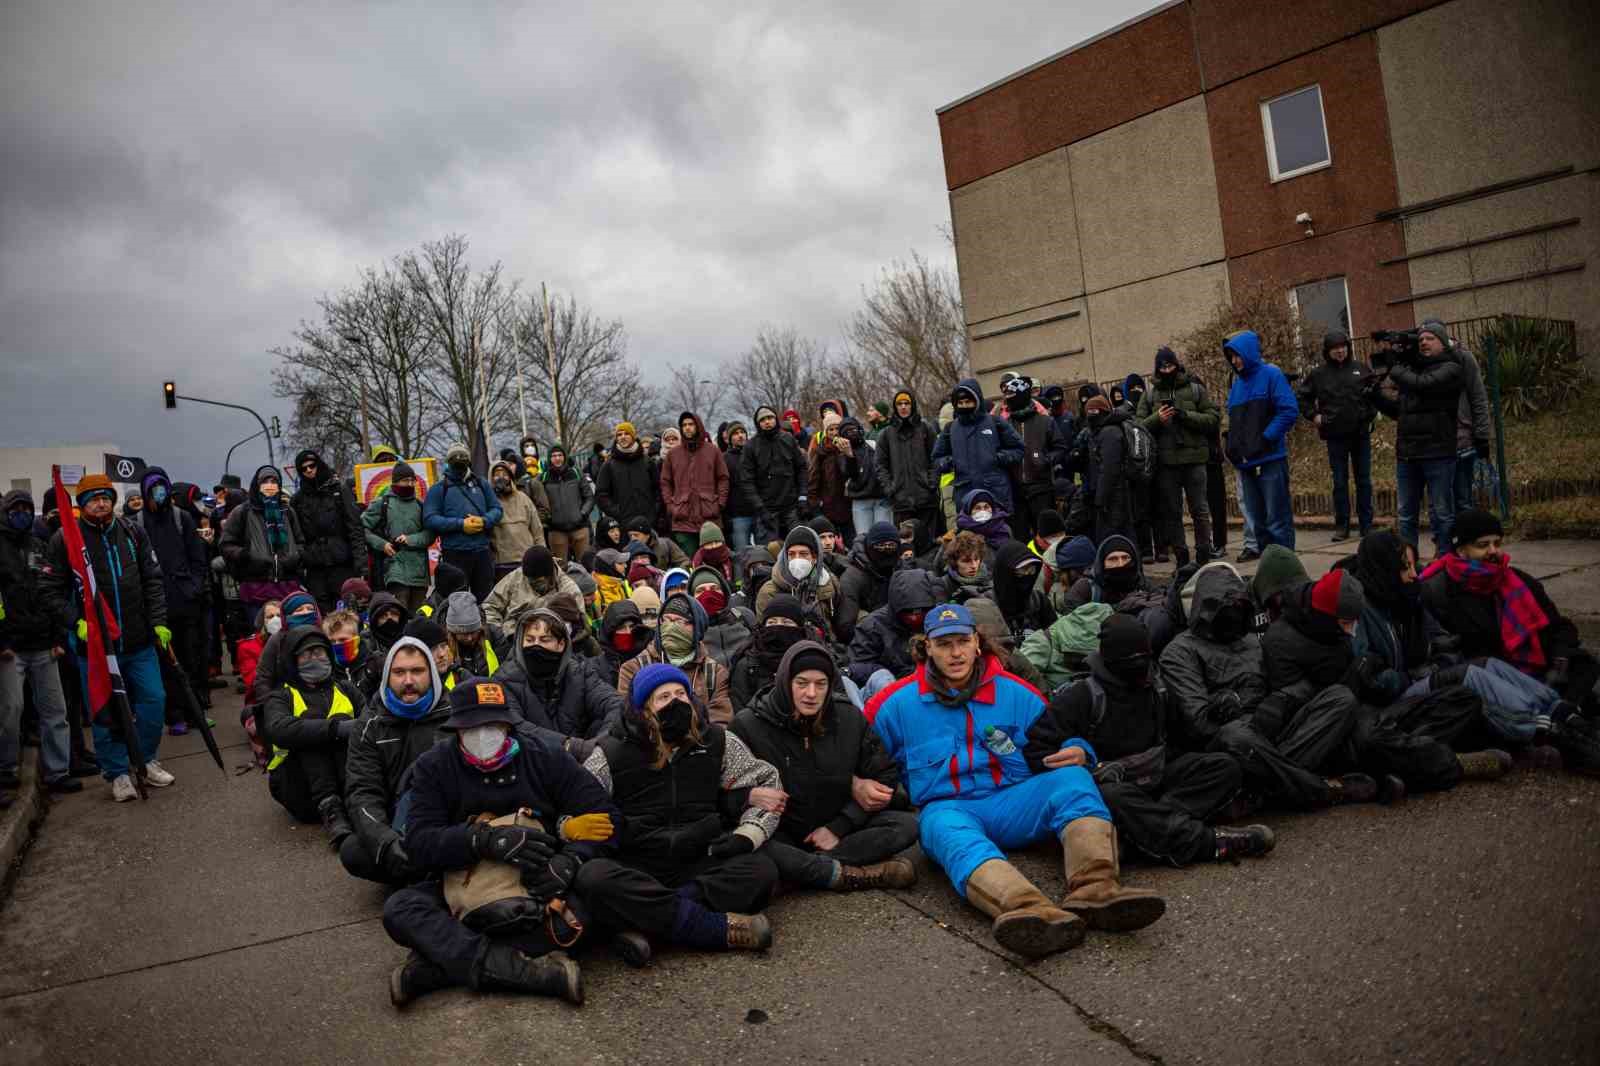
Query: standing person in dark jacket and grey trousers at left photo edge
(31, 641)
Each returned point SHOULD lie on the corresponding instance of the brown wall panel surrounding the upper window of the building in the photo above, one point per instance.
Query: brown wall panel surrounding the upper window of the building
(1258, 214)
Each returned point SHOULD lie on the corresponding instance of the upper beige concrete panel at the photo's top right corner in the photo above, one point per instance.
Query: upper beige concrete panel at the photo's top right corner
(1484, 90)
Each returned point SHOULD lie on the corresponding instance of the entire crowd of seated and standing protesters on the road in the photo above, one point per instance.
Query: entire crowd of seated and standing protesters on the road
(625, 702)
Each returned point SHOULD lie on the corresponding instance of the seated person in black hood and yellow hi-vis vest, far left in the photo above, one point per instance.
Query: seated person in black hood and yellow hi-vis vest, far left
(310, 721)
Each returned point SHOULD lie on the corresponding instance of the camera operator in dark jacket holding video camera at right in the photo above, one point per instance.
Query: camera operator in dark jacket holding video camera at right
(1428, 383)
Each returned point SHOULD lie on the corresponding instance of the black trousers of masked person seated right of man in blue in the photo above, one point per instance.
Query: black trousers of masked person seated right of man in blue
(1167, 820)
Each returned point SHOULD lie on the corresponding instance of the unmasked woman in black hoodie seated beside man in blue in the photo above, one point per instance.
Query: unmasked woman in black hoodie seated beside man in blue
(825, 750)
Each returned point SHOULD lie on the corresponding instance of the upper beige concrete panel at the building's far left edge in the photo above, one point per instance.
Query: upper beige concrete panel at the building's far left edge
(1017, 246)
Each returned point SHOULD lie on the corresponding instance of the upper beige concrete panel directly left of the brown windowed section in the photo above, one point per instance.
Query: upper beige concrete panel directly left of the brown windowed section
(1146, 198)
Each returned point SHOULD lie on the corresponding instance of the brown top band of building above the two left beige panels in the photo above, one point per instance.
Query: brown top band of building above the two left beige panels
(1142, 70)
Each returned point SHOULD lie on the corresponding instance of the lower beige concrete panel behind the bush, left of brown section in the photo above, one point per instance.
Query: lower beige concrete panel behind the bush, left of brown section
(1129, 324)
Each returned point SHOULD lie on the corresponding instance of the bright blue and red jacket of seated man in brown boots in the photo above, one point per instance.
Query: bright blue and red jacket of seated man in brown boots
(942, 751)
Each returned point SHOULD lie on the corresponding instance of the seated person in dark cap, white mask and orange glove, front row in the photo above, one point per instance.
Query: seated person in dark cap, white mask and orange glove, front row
(490, 924)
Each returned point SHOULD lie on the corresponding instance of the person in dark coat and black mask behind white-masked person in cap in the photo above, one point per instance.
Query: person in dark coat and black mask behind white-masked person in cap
(561, 697)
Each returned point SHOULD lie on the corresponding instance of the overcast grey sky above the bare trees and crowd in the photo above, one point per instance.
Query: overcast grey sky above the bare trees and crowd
(180, 183)
